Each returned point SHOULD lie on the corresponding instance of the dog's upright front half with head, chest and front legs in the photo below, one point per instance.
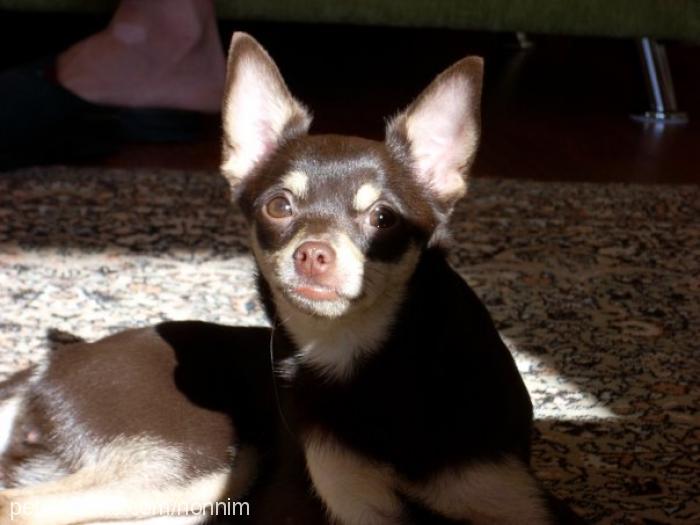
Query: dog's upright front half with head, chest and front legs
(408, 405)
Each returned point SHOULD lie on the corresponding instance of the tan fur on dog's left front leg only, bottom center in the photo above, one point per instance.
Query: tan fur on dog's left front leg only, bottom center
(354, 490)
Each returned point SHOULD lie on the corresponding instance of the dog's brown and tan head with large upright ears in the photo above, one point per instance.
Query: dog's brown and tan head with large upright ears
(339, 222)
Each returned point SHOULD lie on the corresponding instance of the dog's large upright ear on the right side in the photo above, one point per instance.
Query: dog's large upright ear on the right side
(439, 131)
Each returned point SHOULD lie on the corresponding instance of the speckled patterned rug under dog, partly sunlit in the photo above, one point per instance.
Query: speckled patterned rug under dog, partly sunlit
(595, 288)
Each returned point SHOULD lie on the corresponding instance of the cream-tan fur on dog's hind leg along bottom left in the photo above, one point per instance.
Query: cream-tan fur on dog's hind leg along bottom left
(131, 481)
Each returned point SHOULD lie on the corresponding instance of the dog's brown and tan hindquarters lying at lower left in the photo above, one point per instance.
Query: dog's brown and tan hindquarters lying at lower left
(131, 426)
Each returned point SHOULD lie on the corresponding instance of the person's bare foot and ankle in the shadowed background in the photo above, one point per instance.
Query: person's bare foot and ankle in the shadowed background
(155, 53)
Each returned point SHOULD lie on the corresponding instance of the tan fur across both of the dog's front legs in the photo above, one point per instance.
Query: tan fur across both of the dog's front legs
(358, 491)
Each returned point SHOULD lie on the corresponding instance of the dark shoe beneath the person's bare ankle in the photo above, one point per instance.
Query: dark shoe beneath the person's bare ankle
(41, 122)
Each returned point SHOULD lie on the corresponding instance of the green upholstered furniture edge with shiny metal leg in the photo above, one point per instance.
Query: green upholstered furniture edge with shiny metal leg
(646, 20)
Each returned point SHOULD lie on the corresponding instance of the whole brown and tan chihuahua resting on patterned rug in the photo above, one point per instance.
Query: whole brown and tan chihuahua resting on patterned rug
(390, 395)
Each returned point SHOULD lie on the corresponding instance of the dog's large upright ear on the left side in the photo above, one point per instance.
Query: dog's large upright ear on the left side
(259, 112)
